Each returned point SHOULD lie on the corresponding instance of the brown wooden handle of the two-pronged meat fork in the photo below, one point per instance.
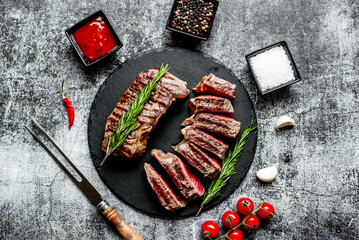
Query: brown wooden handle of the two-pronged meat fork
(126, 231)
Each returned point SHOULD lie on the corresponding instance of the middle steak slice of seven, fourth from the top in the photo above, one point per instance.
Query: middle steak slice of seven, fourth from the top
(205, 141)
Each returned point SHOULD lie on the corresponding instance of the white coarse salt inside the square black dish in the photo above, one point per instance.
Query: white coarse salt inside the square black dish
(272, 69)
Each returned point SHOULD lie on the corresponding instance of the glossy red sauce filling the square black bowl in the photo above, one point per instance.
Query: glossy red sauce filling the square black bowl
(95, 39)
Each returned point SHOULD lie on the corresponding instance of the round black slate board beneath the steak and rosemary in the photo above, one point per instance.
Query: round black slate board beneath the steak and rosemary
(126, 178)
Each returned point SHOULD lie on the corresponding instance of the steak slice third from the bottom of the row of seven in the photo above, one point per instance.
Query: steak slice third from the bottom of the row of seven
(208, 166)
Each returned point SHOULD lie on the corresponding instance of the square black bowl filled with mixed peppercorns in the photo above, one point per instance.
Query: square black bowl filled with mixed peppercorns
(193, 17)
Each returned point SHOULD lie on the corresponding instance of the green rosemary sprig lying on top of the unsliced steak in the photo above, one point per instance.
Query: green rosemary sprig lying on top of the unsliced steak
(128, 121)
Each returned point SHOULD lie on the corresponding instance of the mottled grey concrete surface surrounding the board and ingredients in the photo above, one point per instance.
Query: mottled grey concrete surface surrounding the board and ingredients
(317, 188)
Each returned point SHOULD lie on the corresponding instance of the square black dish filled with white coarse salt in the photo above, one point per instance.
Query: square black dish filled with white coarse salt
(273, 67)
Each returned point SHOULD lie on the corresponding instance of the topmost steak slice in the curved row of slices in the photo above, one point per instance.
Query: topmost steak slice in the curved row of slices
(215, 85)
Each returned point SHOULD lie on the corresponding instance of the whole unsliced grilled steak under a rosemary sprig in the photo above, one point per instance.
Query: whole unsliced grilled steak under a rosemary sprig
(167, 89)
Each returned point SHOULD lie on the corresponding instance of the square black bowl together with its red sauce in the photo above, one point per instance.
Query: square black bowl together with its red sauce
(94, 38)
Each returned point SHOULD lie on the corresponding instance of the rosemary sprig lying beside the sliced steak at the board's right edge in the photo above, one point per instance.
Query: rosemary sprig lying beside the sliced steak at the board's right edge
(228, 168)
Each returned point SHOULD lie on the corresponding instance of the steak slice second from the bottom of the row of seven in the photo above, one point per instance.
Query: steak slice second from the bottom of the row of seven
(189, 186)
